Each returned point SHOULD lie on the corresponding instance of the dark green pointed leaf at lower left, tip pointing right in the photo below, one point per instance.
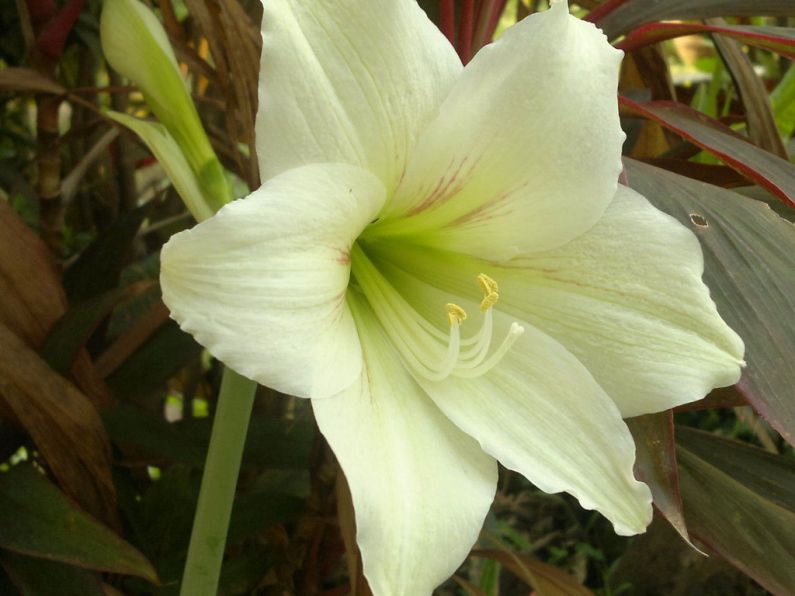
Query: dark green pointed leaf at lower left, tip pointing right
(38, 520)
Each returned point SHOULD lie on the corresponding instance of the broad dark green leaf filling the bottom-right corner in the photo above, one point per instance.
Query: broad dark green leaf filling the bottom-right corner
(739, 501)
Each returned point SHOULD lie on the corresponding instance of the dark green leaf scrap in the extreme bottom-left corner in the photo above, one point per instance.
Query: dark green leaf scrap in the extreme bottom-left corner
(40, 577)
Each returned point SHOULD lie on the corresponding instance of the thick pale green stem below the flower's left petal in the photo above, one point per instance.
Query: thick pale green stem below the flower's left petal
(210, 526)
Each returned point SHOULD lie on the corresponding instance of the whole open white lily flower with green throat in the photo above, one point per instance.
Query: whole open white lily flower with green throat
(401, 188)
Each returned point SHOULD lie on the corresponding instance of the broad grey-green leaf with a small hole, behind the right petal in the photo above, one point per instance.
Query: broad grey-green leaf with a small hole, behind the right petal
(748, 267)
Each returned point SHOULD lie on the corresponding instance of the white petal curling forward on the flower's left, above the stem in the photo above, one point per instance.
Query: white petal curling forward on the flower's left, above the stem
(262, 283)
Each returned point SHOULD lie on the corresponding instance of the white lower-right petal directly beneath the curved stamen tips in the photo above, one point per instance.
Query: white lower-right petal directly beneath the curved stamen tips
(540, 412)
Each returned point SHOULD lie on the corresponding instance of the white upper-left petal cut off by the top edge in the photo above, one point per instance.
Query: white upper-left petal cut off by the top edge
(350, 81)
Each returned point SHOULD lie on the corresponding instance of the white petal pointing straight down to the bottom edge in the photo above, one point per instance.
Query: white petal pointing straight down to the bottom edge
(421, 488)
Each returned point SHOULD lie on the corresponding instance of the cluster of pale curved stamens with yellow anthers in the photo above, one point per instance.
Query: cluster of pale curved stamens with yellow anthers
(425, 349)
